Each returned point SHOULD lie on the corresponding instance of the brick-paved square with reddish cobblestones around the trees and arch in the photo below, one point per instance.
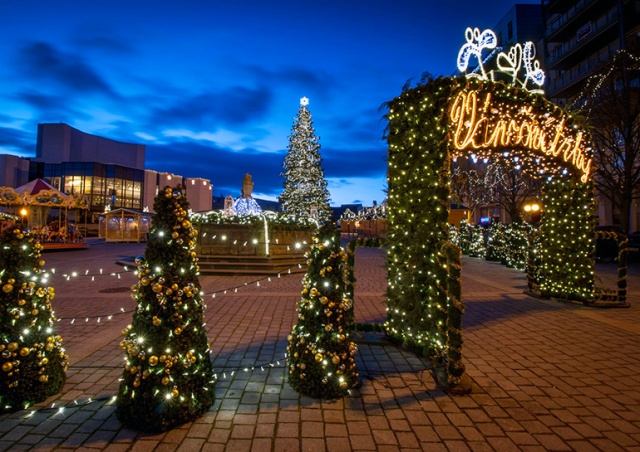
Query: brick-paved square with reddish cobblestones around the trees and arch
(546, 375)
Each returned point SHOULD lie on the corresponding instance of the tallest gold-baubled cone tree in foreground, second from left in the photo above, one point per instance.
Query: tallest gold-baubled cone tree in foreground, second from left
(168, 377)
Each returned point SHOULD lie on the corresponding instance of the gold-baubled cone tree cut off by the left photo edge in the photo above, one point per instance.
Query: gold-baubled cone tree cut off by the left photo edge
(32, 359)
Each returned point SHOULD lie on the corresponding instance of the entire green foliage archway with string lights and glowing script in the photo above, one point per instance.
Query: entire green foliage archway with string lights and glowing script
(429, 126)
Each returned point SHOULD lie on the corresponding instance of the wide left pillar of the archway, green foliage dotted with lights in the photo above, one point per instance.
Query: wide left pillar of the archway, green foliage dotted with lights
(418, 214)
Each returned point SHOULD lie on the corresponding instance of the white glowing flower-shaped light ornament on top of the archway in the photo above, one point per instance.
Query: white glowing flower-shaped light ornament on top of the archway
(509, 64)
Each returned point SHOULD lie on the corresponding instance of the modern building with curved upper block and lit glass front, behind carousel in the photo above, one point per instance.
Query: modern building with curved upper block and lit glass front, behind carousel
(109, 173)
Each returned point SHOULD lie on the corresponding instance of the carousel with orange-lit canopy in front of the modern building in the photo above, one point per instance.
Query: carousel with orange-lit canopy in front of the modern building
(47, 212)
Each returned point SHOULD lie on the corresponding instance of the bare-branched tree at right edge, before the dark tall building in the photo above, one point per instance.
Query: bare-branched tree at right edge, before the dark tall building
(611, 103)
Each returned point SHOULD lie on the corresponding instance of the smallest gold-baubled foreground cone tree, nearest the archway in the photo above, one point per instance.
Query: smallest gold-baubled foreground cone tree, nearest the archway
(321, 354)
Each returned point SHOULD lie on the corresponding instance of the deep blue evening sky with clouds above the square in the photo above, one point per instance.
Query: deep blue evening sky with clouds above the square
(212, 87)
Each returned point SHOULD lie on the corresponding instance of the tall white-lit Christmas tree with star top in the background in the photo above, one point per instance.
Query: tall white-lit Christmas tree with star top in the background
(305, 188)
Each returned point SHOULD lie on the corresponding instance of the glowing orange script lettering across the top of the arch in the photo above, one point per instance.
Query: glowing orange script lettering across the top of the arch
(480, 123)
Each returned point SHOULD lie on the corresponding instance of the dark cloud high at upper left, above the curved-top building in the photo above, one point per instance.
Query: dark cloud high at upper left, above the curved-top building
(42, 62)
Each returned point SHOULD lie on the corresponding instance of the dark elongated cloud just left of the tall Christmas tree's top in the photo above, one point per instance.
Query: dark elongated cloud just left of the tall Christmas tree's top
(232, 107)
